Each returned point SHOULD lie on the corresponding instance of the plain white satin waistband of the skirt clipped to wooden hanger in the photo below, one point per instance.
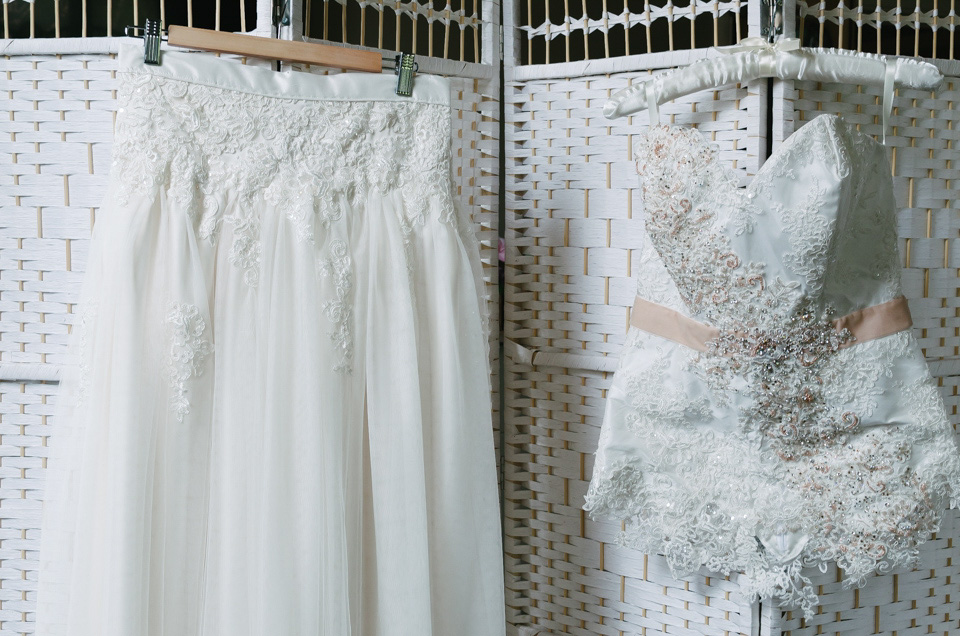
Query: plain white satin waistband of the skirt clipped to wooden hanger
(208, 70)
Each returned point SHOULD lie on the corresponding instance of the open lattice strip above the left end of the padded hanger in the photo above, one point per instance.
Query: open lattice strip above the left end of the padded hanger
(551, 31)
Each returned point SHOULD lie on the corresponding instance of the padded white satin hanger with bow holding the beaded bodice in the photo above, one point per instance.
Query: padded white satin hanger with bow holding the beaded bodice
(755, 58)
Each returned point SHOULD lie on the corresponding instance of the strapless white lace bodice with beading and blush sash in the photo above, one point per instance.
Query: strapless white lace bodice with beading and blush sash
(746, 430)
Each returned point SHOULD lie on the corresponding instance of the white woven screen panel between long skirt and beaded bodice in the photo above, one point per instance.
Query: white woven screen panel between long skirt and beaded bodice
(573, 223)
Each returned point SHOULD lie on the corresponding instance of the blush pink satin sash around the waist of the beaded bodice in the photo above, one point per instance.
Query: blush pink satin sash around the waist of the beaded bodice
(865, 324)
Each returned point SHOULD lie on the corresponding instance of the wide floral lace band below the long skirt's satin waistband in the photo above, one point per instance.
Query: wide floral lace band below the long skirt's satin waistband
(312, 158)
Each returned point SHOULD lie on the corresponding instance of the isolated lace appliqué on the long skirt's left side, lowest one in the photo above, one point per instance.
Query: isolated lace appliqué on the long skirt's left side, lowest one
(188, 349)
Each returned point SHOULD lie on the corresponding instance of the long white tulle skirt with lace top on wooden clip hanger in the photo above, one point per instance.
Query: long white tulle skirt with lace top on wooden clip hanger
(279, 421)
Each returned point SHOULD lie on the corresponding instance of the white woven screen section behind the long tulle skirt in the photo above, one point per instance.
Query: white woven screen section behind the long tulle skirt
(54, 161)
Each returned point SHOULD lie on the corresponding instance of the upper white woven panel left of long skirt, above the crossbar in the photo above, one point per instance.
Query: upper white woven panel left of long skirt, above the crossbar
(54, 160)
